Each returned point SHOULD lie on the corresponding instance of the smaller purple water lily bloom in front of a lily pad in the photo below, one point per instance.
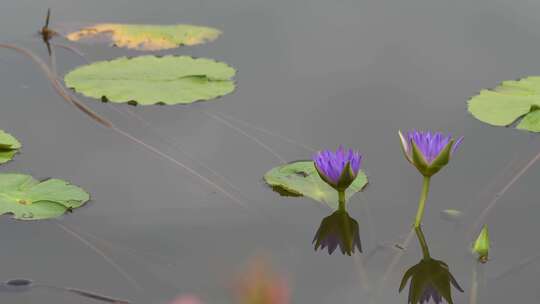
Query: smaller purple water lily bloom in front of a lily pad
(339, 169)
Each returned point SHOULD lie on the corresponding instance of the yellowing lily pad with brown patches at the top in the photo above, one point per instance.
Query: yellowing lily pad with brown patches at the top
(145, 37)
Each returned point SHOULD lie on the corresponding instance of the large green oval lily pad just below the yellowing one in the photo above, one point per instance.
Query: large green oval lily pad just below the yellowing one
(153, 80)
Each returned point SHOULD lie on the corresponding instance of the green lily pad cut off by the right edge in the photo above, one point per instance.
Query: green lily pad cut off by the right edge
(513, 101)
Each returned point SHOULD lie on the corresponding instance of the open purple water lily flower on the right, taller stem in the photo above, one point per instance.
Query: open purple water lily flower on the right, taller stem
(428, 151)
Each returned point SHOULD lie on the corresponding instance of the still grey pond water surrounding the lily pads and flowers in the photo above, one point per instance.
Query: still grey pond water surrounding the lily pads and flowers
(321, 72)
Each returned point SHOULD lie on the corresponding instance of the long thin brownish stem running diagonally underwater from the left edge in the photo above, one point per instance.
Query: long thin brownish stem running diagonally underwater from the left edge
(71, 99)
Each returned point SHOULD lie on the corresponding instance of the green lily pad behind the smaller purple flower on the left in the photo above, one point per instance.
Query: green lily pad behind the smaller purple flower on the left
(301, 179)
